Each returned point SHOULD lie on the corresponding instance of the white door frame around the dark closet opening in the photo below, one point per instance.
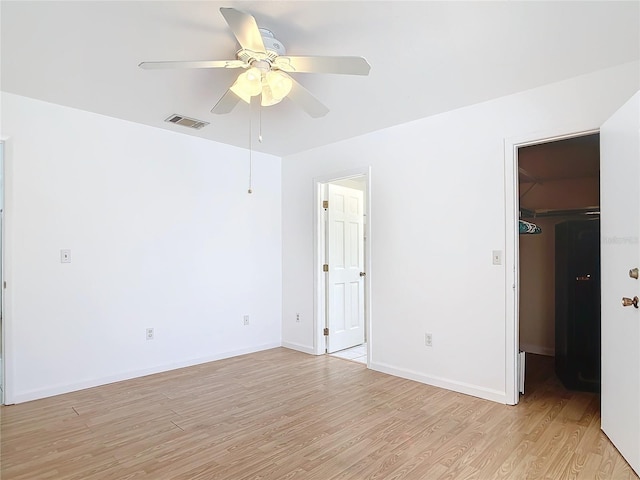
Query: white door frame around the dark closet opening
(512, 247)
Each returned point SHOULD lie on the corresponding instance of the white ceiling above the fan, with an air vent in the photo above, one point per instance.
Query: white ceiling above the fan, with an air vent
(426, 57)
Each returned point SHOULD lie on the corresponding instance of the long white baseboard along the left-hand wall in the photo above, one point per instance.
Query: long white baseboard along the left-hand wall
(73, 387)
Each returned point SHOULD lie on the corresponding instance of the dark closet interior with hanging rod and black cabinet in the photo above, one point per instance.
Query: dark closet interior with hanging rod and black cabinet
(559, 192)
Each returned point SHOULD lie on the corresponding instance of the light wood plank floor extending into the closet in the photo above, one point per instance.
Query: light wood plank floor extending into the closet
(281, 414)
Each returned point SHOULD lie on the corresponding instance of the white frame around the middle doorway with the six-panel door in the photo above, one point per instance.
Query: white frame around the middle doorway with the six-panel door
(319, 307)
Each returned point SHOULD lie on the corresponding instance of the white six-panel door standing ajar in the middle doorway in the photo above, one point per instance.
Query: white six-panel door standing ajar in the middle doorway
(345, 254)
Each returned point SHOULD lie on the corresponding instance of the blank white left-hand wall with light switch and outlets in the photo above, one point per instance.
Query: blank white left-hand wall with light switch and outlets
(162, 234)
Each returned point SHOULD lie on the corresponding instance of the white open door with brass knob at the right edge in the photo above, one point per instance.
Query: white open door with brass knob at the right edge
(620, 227)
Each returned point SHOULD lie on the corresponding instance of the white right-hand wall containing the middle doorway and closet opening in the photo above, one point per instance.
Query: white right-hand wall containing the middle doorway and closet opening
(431, 260)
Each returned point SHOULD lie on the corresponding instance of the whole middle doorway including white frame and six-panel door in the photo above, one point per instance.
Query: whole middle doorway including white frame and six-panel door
(342, 265)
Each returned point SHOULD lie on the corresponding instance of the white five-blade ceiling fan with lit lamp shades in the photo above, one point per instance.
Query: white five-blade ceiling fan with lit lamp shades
(267, 68)
